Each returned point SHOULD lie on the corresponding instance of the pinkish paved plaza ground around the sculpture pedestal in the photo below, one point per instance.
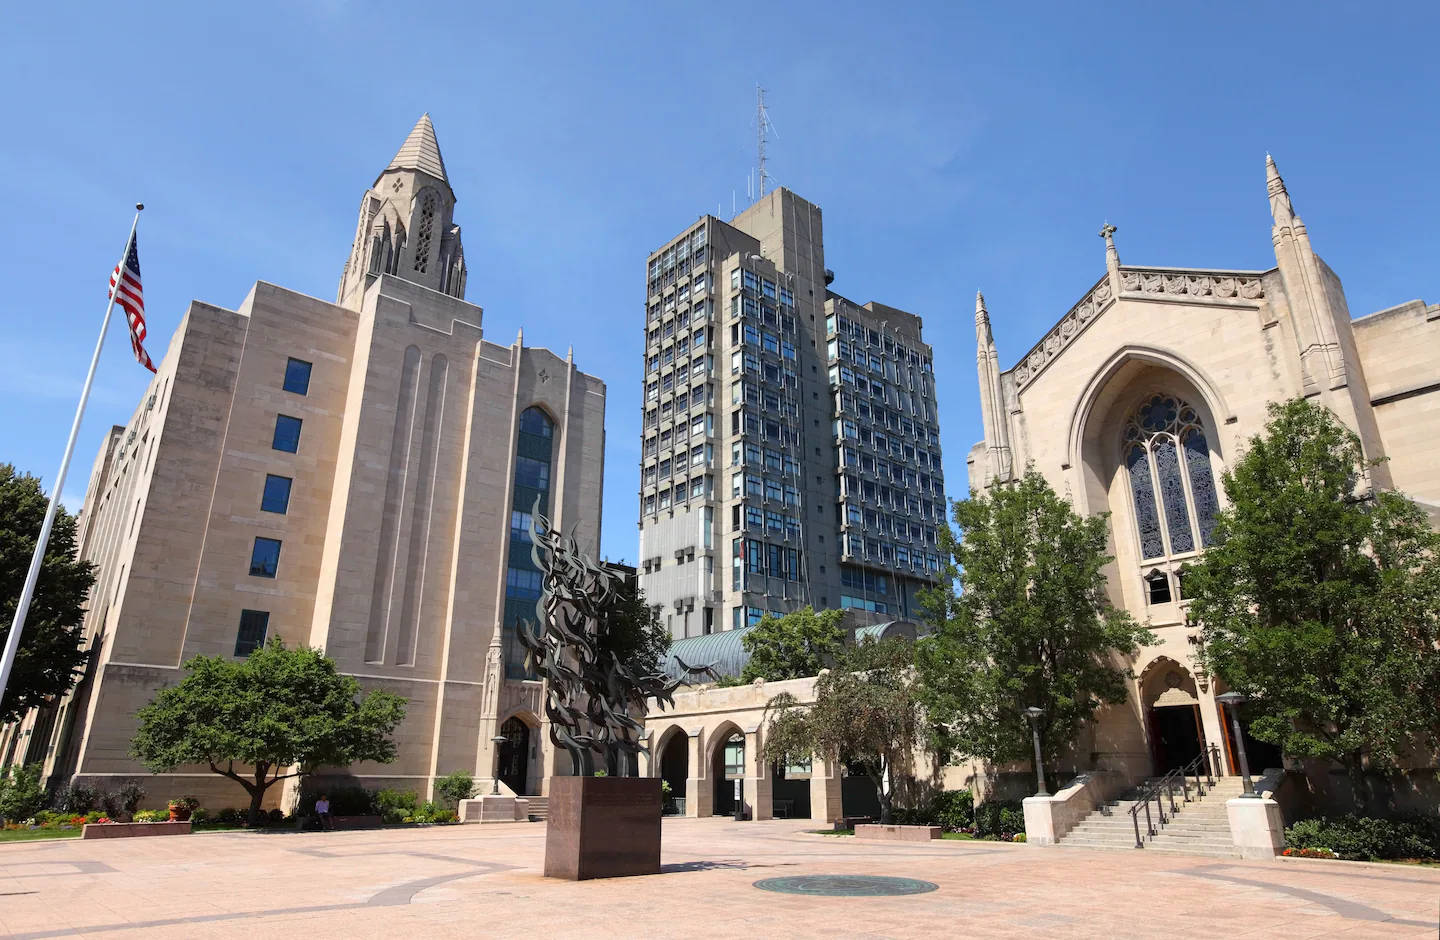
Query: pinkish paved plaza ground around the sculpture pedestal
(486, 882)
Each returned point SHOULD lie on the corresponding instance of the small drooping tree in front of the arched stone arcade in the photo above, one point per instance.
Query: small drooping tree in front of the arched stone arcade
(866, 713)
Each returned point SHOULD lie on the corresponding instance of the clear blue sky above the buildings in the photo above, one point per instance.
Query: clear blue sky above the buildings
(954, 148)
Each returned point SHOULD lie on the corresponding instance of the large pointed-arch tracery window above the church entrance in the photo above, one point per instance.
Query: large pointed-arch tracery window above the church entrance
(1173, 486)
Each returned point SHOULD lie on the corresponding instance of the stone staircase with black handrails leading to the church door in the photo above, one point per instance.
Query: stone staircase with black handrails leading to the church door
(1200, 828)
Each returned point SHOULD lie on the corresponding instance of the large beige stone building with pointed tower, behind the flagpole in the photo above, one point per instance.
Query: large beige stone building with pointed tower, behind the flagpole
(354, 476)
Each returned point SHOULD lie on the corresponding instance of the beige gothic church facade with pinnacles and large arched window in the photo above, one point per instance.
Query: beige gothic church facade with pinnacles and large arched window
(1140, 398)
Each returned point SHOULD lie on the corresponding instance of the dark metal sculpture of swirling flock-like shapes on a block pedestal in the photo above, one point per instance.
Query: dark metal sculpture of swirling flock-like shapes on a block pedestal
(591, 695)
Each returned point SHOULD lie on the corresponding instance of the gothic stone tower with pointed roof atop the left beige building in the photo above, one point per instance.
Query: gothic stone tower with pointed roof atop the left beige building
(407, 225)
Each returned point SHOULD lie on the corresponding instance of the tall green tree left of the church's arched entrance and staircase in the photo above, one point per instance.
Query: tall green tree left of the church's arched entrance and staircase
(1030, 627)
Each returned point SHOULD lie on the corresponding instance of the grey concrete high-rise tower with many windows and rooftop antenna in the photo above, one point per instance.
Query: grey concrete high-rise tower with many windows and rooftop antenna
(790, 447)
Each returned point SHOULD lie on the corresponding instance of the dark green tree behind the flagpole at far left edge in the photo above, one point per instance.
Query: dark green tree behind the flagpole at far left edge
(50, 660)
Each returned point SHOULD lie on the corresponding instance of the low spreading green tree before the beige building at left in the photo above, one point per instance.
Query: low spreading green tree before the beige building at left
(280, 713)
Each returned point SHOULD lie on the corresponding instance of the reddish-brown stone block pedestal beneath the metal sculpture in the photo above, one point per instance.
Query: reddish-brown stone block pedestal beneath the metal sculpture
(603, 828)
